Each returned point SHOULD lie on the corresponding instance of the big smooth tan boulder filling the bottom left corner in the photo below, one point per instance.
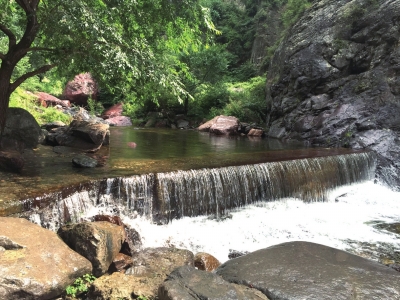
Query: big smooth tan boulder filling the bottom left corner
(35, 263)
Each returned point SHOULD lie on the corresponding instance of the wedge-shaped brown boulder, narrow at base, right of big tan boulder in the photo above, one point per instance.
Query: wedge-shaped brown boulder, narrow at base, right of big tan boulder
(99, 242)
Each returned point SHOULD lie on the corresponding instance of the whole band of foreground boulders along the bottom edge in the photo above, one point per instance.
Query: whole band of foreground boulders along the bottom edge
(37, 264)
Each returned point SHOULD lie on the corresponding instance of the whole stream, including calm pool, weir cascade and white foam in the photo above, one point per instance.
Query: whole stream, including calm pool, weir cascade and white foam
(214, 194)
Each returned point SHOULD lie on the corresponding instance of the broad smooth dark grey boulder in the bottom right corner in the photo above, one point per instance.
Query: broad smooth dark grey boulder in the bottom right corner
(303, 270)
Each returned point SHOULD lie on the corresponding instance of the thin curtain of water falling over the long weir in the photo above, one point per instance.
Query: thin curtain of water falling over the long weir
(162, 197)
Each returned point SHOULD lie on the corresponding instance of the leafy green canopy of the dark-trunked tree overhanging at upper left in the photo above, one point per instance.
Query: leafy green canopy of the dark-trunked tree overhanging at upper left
(123, 43)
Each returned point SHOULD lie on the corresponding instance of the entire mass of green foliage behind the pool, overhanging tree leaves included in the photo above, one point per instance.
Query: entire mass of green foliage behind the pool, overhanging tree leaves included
(149, 54)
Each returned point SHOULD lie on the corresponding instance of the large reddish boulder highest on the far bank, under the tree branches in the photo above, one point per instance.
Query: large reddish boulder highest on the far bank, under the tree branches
(80, 89)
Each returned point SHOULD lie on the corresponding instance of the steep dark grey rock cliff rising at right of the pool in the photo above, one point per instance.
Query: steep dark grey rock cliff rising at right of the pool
(335, 80)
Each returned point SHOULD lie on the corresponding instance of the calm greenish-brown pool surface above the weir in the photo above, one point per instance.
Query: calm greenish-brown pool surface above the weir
(155, 151)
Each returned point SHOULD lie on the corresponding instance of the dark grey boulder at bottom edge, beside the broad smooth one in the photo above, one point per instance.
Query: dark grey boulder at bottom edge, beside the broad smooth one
(187, 283)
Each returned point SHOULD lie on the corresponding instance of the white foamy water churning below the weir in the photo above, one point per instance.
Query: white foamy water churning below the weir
(258, 226)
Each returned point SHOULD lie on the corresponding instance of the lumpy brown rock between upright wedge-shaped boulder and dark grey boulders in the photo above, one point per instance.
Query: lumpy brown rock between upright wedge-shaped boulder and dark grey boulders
(150, 268)
